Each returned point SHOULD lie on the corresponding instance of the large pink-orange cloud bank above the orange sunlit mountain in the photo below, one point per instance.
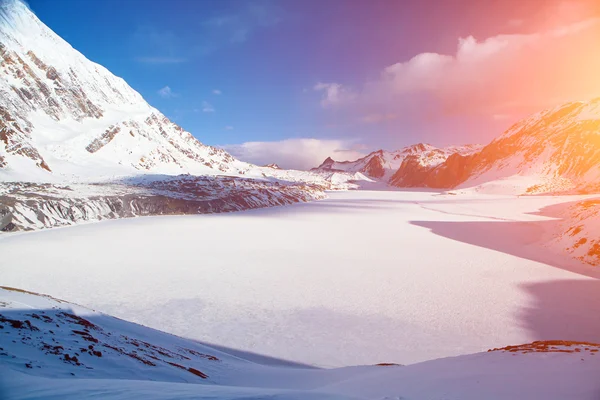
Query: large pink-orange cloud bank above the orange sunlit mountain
(503, 75)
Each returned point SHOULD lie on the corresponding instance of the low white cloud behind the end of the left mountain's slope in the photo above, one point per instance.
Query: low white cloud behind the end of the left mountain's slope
(300, 154)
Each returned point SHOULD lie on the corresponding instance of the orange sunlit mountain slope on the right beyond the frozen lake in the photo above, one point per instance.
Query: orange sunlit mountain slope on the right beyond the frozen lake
(552, 151)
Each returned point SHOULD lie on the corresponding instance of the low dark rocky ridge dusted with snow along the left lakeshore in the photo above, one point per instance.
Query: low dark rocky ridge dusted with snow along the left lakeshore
(54, 205)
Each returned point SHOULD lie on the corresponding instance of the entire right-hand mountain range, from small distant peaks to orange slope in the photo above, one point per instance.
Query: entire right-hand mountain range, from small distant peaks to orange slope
(556, 150)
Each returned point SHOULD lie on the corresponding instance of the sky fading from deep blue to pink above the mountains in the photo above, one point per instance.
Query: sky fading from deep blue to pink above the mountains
(270, 71)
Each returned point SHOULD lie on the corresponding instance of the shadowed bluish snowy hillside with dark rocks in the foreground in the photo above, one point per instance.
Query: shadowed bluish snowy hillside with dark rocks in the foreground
(50, 348)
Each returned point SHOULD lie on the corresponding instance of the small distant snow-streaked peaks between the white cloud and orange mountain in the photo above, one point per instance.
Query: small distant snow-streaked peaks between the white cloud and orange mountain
(383, 164)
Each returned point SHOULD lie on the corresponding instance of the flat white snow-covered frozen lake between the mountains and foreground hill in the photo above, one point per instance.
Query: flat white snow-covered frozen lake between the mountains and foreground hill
(359, 278)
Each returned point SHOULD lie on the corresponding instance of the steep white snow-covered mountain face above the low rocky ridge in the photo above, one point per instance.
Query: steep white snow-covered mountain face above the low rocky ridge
(61, 112)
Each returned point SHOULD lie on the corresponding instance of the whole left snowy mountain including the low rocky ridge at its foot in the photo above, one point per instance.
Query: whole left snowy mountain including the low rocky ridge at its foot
(81, 134)
